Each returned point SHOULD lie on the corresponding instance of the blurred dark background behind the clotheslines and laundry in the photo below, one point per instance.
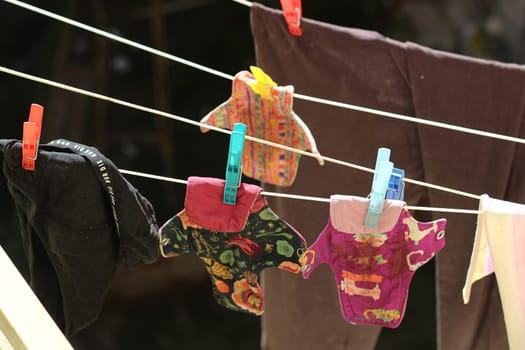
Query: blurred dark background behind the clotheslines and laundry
(169, 305)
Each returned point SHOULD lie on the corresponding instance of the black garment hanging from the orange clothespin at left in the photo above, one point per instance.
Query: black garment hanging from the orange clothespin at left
(78, 219)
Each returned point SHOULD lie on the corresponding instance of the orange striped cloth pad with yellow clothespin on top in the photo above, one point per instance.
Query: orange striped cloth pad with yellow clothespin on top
(266, 110)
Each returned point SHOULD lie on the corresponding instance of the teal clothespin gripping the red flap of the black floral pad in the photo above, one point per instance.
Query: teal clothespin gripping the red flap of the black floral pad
(234, 163)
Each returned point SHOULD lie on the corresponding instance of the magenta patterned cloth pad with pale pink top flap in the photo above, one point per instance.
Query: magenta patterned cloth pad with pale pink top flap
(373, 267)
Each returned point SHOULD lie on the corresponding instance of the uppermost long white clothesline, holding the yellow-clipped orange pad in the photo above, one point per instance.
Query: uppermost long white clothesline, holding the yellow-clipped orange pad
(230, 77)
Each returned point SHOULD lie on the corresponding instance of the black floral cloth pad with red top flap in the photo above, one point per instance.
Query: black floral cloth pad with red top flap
(235, 241)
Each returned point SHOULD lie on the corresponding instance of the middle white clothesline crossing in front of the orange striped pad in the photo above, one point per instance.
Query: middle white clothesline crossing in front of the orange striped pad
(199, 124)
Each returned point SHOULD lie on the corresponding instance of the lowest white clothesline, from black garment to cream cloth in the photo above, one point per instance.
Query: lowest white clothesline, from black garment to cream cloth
(296, 196)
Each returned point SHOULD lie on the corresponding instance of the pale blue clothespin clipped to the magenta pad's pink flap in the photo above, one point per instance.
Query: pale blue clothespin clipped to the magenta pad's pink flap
(383, 170)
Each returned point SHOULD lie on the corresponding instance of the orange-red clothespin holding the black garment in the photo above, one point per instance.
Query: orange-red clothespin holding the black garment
(31, 136)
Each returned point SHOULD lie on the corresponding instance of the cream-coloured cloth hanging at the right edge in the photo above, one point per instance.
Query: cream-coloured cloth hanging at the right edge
(498, 247)
